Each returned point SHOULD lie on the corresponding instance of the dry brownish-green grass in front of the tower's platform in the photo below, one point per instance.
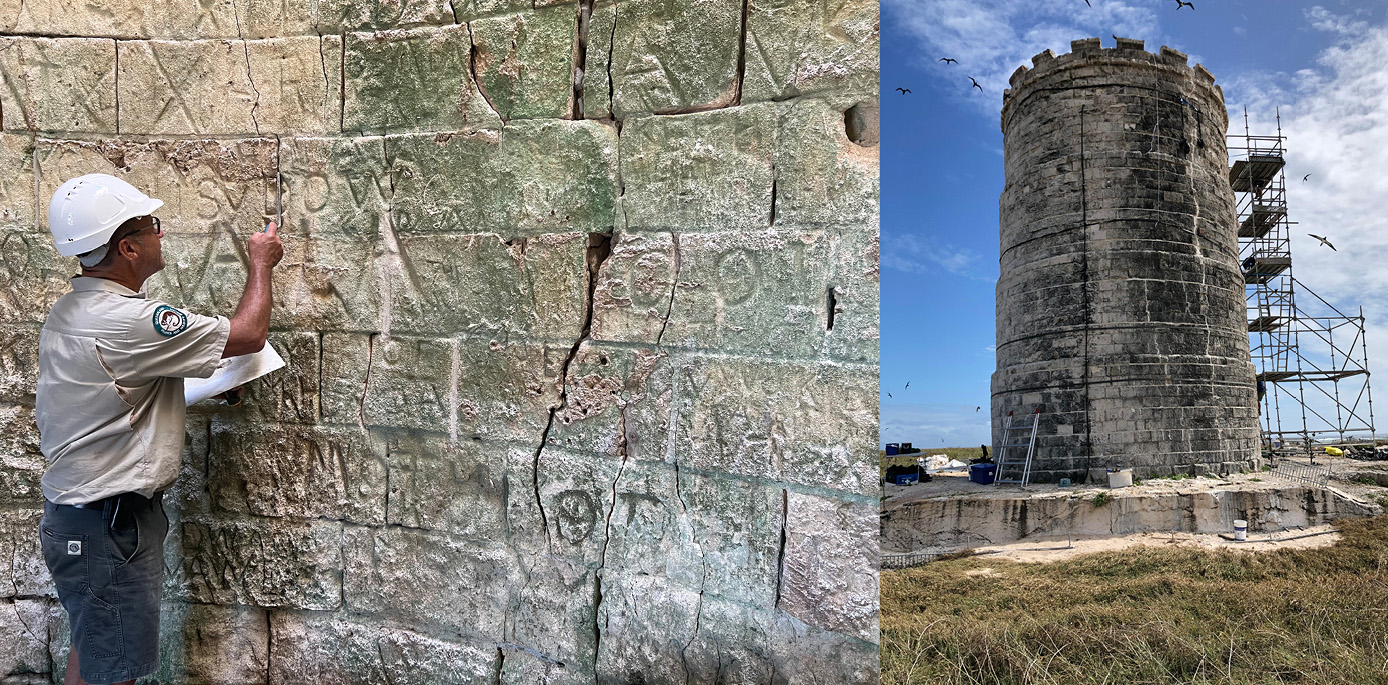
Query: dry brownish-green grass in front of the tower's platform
(1147, 616)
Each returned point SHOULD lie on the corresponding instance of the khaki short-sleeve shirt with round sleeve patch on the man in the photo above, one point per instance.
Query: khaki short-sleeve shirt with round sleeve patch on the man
(110, 397)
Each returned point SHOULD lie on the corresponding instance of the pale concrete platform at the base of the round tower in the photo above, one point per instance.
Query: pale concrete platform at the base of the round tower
(950, 514)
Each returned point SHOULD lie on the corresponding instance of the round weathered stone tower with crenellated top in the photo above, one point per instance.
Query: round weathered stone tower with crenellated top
(1121, 304)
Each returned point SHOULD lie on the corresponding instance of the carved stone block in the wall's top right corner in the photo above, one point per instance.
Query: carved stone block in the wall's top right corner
(797, 48)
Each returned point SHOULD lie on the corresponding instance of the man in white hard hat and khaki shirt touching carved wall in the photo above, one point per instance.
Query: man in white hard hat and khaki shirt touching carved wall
(110, 413)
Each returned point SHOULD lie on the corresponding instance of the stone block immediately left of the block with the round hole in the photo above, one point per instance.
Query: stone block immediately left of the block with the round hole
(700, 171)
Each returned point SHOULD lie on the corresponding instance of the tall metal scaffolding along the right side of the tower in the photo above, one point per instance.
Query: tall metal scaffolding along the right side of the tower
(1314, 365)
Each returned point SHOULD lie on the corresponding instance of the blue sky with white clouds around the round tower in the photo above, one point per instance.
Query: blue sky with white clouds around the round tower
(1323, 64)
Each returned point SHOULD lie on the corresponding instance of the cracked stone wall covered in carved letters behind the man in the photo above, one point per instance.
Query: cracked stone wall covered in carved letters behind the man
(579, 309)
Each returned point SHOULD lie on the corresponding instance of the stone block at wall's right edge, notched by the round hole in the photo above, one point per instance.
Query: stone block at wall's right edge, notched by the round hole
(822, 177)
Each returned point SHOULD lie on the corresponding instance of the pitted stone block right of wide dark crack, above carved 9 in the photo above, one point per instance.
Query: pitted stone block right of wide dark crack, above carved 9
(610, 392)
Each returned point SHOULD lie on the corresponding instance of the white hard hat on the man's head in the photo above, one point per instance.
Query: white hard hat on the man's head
(85, 211)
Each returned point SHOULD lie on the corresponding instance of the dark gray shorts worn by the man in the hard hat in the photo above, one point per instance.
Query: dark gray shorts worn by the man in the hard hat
(108, 564)
